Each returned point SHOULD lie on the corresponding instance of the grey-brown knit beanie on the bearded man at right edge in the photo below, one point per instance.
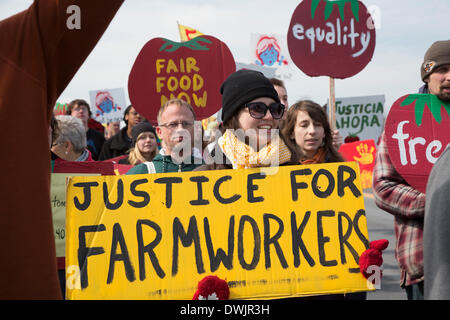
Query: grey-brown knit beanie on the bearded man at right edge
(437, 55)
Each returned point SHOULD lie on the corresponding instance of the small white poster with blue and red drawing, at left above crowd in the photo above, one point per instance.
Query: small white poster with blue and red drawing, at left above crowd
(108, 105)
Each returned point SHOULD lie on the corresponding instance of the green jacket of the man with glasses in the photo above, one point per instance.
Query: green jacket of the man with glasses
(164, 164)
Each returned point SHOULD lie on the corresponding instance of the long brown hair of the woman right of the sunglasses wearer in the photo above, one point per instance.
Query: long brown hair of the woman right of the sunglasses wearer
(317, 113)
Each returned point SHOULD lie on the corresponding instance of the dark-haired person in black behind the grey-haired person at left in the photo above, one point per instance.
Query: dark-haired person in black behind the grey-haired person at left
(80, 109)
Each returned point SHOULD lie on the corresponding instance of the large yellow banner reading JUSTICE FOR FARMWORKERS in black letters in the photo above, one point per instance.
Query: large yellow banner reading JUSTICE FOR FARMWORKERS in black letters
(299, 231)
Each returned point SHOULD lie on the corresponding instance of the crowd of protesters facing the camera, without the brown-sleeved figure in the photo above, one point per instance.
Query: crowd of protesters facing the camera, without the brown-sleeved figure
(257, 129)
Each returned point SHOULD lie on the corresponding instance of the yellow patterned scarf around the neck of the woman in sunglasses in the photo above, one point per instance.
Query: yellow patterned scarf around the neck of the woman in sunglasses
(242, 155)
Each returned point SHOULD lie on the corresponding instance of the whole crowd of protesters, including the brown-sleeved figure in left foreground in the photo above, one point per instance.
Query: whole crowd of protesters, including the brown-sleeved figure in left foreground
(257, 128)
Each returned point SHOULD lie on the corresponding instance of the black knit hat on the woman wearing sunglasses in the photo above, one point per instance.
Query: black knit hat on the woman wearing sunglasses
(242, 87)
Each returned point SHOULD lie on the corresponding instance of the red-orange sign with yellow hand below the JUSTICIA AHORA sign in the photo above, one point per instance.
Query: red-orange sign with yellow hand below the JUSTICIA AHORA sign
(363, 152)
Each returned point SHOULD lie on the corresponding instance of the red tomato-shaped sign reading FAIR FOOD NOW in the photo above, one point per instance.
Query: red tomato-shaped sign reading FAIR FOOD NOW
(193, 71)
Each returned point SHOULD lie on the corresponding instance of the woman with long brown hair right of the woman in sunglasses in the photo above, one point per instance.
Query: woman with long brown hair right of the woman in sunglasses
(308, 130)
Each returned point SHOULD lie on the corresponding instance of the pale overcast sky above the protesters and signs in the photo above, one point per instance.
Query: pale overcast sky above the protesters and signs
(407, 29)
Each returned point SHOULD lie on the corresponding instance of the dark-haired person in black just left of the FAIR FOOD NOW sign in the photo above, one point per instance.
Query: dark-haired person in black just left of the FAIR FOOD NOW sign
(120, 143)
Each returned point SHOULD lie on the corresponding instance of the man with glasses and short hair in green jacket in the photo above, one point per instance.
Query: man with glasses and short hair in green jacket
(176, 120)
